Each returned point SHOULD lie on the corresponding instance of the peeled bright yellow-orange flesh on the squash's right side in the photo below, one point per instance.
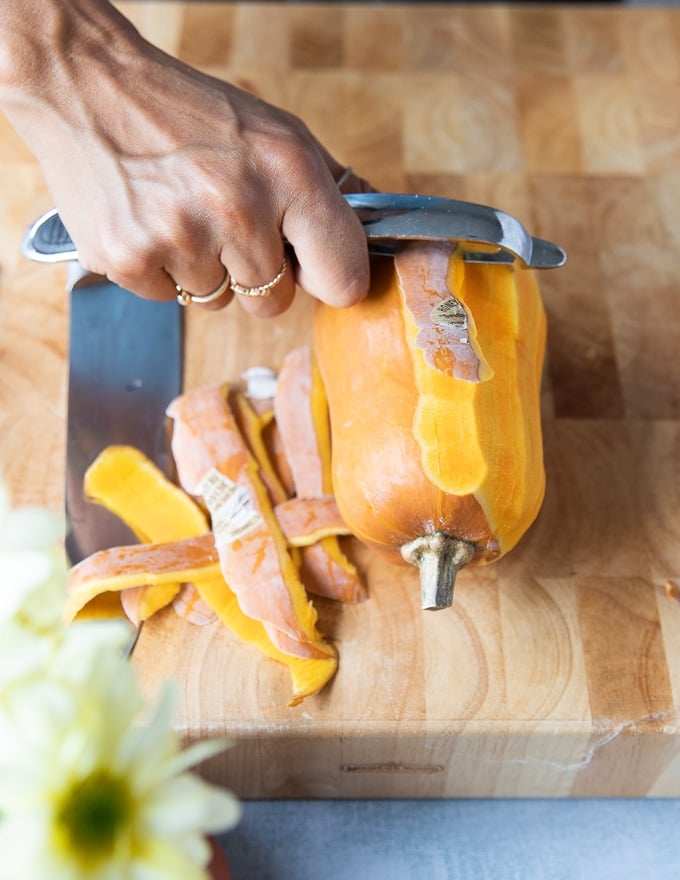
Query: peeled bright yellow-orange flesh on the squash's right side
(490, 430)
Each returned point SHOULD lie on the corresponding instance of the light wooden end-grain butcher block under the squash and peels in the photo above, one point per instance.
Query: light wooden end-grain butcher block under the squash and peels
(557, 672)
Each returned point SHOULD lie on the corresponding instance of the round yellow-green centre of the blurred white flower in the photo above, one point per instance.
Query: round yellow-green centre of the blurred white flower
(92, 815)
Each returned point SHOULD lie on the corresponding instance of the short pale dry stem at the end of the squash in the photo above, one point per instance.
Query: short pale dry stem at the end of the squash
(439, 557)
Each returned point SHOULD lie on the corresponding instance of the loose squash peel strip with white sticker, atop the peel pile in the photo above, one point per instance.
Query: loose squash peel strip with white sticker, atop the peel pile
(213, 461)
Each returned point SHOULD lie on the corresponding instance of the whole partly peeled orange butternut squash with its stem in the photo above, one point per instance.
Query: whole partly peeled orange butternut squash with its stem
(433, 386)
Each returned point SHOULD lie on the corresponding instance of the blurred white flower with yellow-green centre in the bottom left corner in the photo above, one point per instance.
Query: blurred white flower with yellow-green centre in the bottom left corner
(86, 791)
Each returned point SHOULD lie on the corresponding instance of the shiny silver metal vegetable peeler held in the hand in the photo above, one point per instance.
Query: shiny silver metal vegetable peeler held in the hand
(388, 220)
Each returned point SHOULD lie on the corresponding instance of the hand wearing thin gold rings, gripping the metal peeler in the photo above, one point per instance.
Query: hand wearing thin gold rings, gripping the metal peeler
(166, 176)
